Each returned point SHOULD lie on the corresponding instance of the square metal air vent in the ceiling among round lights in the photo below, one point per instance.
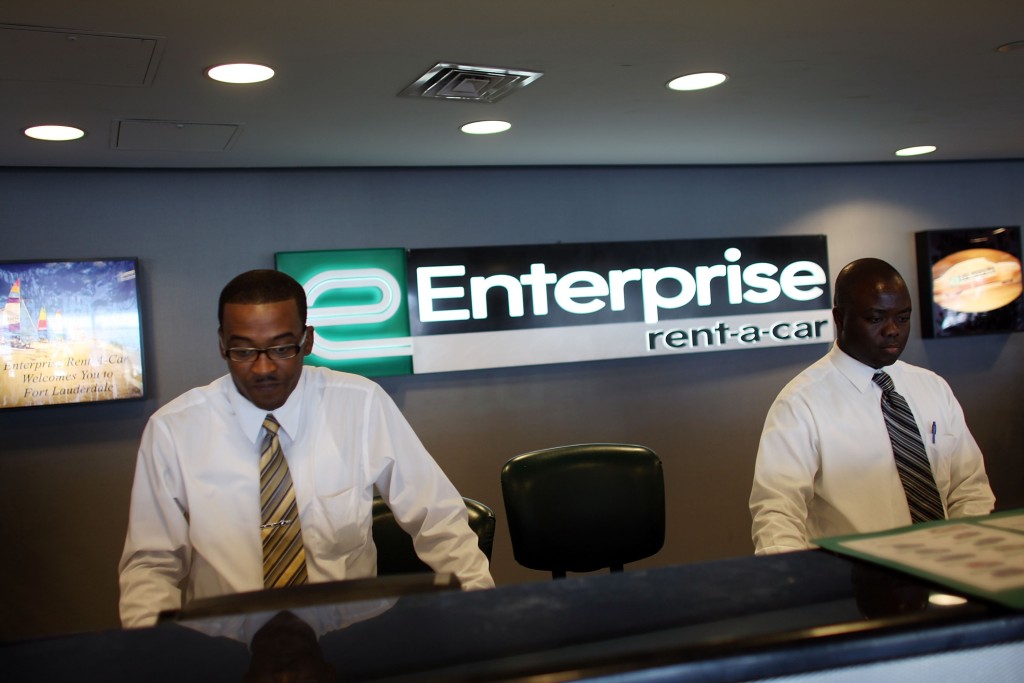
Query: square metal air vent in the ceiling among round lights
(481, 84)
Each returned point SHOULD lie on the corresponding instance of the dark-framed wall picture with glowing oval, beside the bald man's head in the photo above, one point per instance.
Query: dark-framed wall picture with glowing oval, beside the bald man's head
(970, 281)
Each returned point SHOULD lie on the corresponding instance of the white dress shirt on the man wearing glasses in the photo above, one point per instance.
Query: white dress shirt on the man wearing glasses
(194, 527)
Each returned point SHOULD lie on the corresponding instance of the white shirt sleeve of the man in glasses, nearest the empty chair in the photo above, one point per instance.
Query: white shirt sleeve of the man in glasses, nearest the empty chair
(425, 503)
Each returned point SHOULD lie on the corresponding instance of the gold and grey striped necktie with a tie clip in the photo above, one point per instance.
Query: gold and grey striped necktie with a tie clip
(284, 558)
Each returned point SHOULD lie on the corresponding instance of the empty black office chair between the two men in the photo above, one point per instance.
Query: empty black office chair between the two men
(585, 507)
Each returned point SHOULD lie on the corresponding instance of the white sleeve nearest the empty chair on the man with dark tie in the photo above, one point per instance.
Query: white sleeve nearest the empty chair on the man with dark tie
(787, 464)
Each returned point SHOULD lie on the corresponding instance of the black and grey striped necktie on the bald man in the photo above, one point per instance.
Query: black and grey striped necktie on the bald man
(909, 450)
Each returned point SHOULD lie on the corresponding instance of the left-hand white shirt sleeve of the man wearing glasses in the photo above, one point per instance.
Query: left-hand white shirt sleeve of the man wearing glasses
(157, 551)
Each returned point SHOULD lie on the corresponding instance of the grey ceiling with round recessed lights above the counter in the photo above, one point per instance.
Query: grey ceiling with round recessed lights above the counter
(812, 81)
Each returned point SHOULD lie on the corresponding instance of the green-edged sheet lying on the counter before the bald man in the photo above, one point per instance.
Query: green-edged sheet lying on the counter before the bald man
(983, 557)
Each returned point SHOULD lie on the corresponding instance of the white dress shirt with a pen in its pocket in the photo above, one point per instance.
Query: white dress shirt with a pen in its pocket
(826, 466)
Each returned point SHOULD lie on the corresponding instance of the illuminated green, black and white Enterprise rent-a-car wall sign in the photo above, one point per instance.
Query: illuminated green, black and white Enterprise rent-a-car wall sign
(388, 312)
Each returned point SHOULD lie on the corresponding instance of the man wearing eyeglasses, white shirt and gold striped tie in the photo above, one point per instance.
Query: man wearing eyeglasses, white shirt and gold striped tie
(198, 526)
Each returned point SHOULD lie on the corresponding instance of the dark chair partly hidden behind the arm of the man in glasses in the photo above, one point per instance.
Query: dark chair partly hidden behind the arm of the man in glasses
(396, 553)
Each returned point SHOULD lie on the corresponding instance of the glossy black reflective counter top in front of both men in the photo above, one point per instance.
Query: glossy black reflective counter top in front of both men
(728, 621)
